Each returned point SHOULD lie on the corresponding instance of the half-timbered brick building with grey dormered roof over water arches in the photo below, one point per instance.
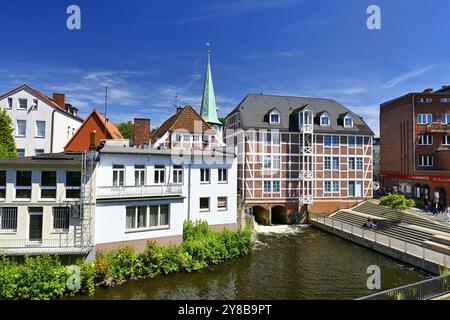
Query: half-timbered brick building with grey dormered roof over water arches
(298, 155)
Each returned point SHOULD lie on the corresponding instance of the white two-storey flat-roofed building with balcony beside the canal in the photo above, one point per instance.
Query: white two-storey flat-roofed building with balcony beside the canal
(146, 194)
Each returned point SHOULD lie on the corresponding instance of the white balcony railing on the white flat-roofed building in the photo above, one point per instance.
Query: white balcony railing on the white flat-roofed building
(138, 191)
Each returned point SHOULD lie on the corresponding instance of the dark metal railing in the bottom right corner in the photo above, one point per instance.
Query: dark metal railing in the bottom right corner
(423, 290)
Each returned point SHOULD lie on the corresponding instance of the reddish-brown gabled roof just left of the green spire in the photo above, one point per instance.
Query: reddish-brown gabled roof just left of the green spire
(182, 120)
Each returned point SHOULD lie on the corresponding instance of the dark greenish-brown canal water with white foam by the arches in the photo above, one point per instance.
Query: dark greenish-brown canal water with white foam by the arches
(289, 262)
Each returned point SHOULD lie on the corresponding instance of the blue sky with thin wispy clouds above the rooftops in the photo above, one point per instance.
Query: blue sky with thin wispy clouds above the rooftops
(145, 51)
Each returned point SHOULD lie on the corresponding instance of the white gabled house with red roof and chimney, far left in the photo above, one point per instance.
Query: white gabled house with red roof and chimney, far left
(41, 124)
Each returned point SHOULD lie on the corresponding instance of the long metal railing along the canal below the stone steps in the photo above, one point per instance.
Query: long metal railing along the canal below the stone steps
(391, 242)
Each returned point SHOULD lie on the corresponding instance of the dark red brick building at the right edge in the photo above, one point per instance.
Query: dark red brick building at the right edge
(415, 145)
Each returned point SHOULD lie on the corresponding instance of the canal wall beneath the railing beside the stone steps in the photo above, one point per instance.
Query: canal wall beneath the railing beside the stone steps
(405, 257)
